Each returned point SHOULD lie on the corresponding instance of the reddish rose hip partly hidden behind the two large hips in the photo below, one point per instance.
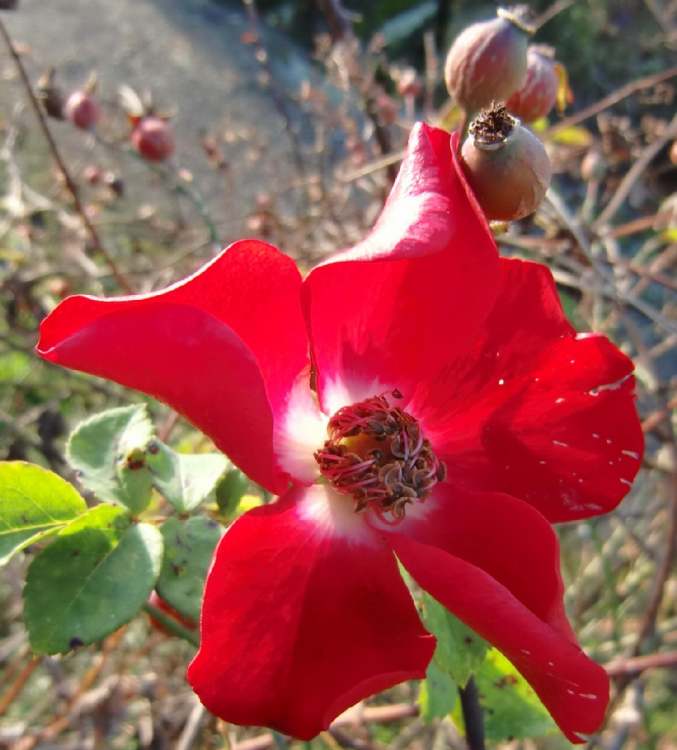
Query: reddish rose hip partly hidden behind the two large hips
(538, 94)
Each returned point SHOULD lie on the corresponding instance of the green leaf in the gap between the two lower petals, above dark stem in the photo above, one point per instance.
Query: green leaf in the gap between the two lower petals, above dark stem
(460, 651)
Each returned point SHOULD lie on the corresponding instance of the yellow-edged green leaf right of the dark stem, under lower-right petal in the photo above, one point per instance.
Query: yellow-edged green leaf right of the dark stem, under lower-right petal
(512, 709)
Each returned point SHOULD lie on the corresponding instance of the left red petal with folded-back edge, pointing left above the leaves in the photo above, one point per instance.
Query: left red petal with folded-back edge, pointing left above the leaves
(222, 347)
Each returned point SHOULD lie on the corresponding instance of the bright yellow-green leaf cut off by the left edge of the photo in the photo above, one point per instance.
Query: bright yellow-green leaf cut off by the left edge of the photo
(34, 503)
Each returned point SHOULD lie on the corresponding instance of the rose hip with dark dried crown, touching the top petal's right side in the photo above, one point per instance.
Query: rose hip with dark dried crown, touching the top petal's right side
(506, 165)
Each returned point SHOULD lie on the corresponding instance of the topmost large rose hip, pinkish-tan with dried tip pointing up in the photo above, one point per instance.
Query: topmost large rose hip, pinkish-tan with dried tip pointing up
(488, 61)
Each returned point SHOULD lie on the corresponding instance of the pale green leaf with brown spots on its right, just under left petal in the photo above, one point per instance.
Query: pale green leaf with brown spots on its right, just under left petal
(109, 452)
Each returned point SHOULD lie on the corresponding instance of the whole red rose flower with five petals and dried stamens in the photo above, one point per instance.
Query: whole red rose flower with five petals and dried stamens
(414, 395)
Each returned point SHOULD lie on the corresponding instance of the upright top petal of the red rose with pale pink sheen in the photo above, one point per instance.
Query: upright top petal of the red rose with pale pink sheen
(429, 281)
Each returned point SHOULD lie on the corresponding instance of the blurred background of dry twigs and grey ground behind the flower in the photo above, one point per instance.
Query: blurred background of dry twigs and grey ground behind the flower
(289, 120)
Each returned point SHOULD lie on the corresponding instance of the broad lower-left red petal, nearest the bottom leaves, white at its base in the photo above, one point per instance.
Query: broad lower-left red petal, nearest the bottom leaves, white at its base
(304, 614)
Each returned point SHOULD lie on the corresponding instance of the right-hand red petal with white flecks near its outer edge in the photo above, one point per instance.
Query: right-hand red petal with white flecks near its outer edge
(534, 410)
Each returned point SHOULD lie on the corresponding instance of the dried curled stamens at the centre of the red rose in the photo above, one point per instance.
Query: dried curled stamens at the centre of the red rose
(377, 453)
